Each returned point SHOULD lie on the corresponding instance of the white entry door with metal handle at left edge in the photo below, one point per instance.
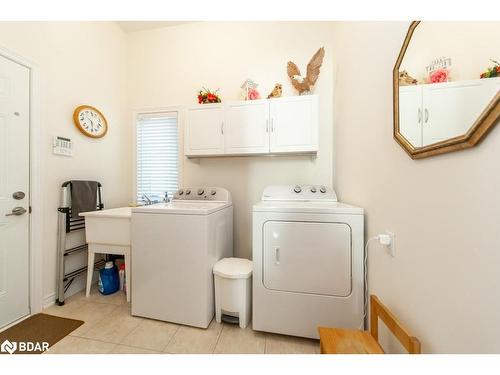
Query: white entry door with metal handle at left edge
(14, 191)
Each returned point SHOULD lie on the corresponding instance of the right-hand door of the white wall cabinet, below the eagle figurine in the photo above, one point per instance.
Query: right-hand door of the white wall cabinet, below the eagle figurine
(294, 124)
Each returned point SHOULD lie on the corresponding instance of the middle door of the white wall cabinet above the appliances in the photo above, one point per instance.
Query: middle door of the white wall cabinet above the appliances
(247, 127)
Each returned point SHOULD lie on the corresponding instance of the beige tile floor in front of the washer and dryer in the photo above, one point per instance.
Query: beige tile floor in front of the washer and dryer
(110, 328)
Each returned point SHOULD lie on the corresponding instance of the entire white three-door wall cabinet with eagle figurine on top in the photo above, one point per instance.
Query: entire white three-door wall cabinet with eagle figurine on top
(283, 125)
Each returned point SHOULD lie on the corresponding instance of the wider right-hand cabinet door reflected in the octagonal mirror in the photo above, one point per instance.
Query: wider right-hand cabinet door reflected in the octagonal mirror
(451, 109)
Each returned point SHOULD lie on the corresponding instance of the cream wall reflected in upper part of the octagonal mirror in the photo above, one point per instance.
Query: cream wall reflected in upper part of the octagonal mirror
(470, 45)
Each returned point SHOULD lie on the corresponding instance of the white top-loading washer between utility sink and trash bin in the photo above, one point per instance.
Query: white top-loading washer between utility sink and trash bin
(174, 248)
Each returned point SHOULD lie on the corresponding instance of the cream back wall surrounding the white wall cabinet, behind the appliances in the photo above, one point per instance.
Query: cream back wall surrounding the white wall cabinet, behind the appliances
(168, 66)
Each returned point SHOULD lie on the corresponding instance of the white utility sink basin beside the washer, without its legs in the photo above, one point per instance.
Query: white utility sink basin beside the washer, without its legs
(111, 227)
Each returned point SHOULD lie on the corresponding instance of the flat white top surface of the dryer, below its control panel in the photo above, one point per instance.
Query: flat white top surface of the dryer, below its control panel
(307, 207)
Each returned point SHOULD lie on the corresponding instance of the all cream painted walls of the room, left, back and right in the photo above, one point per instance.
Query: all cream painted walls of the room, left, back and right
(444, 280)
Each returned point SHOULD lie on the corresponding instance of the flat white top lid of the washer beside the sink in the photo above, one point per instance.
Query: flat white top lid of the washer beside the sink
(183, 208)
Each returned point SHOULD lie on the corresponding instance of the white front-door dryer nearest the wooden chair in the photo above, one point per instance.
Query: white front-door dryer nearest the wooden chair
(308, 261)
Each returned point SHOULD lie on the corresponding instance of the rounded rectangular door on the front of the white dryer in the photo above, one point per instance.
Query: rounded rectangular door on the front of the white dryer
(307, 257)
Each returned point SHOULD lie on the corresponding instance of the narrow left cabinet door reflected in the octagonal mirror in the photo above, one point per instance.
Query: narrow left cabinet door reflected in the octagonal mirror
(410, 114)
